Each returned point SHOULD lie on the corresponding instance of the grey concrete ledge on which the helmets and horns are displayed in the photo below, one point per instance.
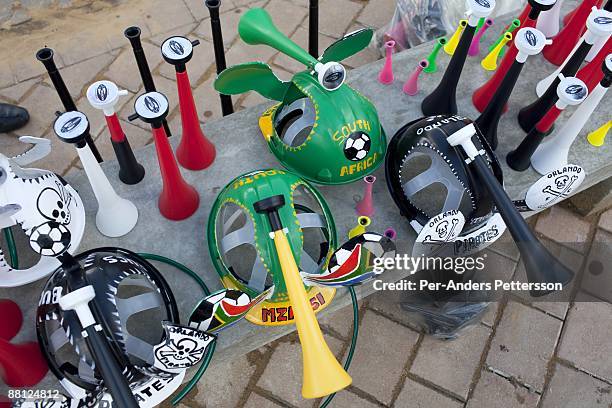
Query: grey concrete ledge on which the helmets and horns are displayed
(240, 148)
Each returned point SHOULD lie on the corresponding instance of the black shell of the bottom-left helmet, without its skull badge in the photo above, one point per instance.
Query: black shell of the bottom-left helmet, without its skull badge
(132, 300)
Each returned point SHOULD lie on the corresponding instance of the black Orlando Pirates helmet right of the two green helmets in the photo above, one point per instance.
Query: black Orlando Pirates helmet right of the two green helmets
(427, 177)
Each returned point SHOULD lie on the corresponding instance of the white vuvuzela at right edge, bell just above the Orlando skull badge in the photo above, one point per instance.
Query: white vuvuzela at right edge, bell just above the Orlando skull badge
(554, 152)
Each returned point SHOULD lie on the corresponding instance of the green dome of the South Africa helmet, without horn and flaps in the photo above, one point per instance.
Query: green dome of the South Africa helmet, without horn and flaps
(327, 137)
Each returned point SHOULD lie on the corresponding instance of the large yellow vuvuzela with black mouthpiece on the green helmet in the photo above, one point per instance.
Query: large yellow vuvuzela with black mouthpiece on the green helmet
(322, 374)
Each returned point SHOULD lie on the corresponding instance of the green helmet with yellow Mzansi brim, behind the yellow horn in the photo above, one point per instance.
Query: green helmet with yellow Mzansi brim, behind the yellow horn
(245, 256)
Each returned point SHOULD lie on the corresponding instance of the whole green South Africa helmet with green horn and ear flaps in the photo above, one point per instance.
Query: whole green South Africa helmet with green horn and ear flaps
(322, 129)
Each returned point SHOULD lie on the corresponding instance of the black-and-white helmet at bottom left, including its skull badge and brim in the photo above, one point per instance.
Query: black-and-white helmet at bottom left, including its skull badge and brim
(136, 309)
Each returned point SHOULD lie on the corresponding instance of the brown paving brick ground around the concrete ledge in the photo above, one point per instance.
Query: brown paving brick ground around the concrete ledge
(521, 354)
